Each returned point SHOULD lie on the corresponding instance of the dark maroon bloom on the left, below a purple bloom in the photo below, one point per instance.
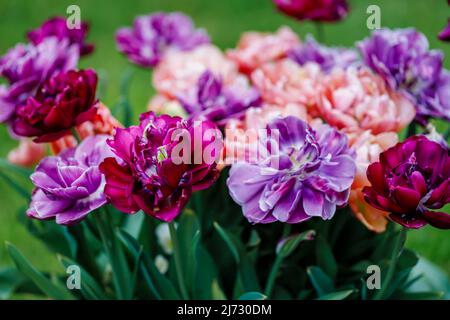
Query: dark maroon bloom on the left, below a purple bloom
(63, 102)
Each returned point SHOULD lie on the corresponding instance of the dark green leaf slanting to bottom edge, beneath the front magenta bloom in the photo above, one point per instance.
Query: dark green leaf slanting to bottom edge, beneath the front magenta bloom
(157, 284)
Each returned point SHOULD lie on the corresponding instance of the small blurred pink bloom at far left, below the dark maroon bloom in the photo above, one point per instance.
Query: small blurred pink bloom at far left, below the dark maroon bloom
(27, 154)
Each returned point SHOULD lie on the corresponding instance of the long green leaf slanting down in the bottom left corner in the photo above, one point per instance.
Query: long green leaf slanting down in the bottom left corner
(52, 290)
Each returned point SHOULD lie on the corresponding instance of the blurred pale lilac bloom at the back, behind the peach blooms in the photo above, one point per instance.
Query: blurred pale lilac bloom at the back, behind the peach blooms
(327, 57)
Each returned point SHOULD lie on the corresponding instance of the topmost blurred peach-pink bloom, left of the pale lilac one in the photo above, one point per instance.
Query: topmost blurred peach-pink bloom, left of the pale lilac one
(257, 48)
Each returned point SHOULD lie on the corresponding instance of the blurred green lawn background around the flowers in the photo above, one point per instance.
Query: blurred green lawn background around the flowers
(224, 20)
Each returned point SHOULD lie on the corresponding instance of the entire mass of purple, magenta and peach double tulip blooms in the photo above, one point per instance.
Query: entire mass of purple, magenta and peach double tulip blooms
(307, 129)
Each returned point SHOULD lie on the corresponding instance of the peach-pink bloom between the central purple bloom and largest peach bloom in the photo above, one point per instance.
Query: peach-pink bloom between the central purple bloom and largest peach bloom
(285, 82)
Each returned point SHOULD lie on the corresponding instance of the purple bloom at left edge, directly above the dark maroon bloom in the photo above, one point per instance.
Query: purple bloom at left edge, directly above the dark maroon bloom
(26, 67)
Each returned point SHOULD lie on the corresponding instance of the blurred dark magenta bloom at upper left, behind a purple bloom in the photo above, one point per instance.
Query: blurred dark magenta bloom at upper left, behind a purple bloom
(57, 27)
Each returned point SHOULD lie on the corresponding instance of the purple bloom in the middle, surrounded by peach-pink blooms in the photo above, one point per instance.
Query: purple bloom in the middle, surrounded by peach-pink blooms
(211, 100)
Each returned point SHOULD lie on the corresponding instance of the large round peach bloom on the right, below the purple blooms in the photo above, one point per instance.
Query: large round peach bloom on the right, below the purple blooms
(357, 99)
